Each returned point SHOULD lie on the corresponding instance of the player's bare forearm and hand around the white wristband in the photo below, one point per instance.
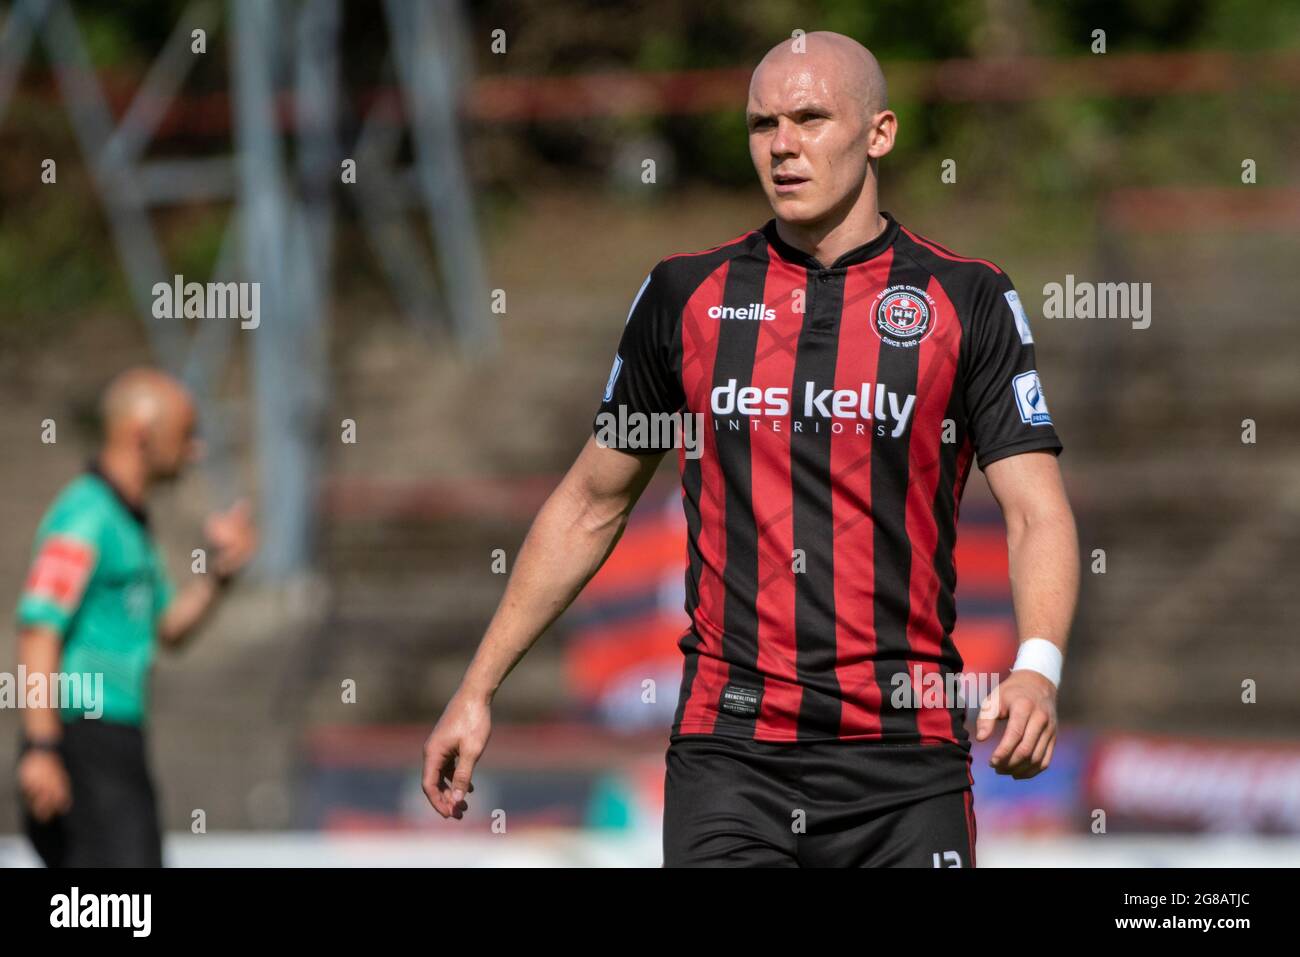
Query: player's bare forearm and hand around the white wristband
(1043, 548)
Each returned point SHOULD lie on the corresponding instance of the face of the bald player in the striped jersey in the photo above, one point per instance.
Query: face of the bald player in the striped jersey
(809, 141)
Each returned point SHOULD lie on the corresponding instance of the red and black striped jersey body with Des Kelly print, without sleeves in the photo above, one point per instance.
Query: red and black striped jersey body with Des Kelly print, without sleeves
(822, 514)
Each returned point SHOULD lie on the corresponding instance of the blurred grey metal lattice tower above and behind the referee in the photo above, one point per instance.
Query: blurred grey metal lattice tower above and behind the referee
(281, 228)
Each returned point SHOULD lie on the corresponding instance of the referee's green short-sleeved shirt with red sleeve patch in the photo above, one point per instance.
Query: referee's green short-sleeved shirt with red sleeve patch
(98, 582)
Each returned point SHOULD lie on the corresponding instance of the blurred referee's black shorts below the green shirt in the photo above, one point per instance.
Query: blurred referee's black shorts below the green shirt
(114, 821)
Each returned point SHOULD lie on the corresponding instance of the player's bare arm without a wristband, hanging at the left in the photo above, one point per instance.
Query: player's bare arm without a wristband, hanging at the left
(567, 544)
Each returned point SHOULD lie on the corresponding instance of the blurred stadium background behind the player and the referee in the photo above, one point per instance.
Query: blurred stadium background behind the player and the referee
(449, 209)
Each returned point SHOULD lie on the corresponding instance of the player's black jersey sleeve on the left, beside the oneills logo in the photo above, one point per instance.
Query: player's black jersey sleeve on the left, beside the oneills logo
(643, 384)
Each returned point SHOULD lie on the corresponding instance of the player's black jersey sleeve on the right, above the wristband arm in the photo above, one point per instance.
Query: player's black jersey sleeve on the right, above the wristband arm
(1008, 412)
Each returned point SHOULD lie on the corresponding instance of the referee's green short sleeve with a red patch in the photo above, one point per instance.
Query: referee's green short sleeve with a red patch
(63, 565)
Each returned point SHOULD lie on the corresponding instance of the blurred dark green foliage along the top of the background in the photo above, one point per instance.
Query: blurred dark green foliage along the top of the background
(1064, 151)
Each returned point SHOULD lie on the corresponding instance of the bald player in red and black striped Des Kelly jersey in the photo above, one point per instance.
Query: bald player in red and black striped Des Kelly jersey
(847, 374)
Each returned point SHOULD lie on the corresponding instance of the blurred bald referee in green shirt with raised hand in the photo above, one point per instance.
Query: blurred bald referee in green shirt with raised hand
(96, 607)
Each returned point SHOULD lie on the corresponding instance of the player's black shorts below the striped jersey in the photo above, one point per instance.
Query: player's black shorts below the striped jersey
(835, 804)
